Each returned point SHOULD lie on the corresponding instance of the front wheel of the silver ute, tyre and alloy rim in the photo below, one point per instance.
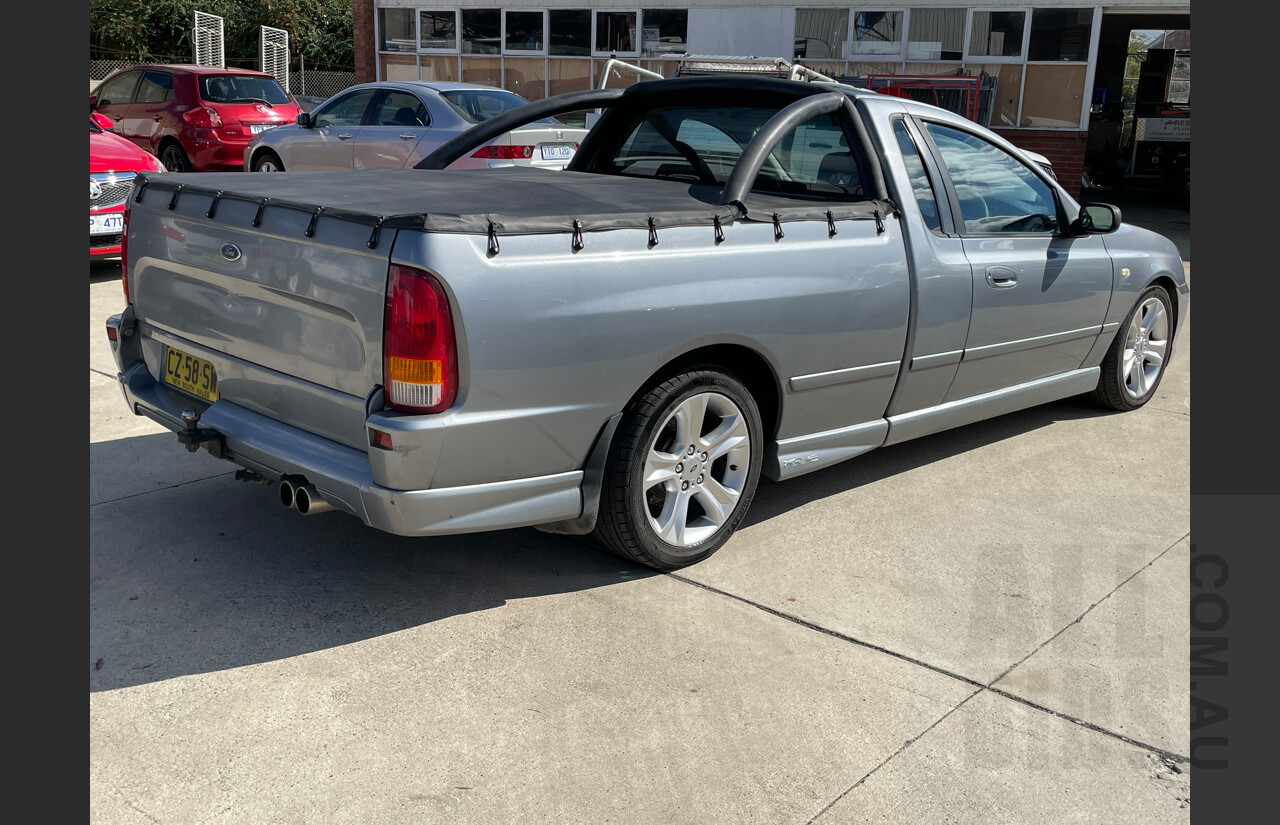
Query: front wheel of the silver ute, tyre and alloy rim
(1136, 364)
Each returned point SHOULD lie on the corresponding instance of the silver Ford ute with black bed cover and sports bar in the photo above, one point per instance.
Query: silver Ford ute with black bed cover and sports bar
(734, 278)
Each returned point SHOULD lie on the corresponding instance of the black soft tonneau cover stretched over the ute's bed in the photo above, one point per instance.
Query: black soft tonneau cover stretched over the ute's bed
(491, 201)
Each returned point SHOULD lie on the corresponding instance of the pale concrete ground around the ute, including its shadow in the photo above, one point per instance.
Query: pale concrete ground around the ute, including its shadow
(982, 626)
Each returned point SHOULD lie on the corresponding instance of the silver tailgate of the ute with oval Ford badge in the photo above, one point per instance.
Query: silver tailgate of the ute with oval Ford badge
(294, 326)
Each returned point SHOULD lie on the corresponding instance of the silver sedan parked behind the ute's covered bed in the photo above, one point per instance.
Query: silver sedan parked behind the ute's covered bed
(399, 123)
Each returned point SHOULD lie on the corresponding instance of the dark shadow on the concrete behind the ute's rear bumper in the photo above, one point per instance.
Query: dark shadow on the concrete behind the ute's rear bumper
(198, 575)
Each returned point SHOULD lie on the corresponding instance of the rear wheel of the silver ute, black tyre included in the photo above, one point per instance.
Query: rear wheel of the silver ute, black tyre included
(682, 471)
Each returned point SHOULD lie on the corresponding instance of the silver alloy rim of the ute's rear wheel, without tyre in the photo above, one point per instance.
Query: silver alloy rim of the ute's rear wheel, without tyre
(696, 470)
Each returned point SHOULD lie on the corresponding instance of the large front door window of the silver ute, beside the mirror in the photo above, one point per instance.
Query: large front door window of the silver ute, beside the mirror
(999, 195)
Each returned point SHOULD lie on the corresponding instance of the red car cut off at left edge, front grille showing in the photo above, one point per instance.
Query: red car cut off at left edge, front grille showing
(113, 163)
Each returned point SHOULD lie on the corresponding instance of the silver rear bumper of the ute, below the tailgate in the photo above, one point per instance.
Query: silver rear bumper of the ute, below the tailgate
(341, 474)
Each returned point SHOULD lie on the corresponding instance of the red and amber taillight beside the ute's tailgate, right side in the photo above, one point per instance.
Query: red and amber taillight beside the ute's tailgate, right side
(420, 370)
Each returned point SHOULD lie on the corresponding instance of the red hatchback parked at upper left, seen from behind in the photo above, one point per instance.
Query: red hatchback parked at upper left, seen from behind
(194, 118)
